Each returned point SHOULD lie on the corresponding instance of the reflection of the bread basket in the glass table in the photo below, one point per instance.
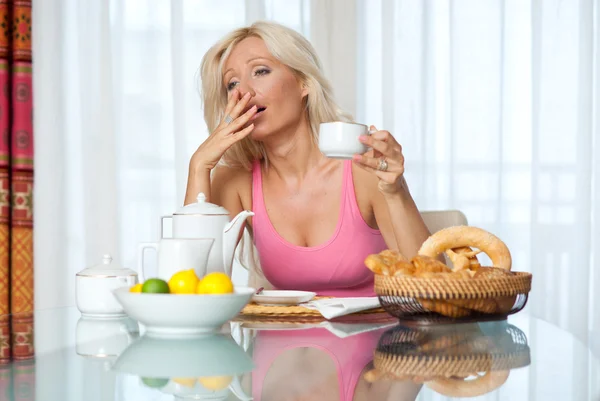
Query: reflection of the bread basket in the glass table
(443, 356)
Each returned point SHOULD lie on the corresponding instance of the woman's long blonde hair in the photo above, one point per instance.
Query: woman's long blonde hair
(291, 49)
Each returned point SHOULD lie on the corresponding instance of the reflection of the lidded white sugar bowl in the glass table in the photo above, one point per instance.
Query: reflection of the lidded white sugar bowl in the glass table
(104, 338)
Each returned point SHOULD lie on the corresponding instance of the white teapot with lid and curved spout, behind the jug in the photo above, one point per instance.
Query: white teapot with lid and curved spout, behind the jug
(207, 220)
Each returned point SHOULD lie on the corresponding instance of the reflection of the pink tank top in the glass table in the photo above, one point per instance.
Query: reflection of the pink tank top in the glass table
(350, 355)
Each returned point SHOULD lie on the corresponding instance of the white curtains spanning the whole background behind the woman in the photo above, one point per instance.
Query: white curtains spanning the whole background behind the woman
(493, 101)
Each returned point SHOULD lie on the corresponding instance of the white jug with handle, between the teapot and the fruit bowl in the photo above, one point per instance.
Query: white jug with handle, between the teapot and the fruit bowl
(176, 254)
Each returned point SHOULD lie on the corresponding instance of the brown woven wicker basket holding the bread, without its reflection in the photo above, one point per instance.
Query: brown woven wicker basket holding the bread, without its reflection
(438, 299)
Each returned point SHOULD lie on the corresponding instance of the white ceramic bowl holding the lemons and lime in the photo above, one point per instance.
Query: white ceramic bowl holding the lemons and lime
(178, 315)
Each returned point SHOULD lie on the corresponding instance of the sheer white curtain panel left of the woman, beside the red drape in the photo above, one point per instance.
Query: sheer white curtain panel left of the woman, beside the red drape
(120, 115)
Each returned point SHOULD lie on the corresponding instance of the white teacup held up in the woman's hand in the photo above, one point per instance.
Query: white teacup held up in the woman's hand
(339, 140)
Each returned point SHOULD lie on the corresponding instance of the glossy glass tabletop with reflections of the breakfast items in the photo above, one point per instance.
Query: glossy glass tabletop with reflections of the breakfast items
(522, 358)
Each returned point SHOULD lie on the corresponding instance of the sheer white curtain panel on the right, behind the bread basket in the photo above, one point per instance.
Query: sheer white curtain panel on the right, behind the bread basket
(494, 103)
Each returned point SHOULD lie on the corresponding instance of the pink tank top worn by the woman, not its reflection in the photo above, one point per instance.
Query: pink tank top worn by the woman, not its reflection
(334, 268)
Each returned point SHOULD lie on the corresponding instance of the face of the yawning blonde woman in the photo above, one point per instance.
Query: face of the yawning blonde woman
(274, 88)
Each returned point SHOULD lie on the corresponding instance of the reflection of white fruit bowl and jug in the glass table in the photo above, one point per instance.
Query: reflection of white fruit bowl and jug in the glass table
(159, 362)
